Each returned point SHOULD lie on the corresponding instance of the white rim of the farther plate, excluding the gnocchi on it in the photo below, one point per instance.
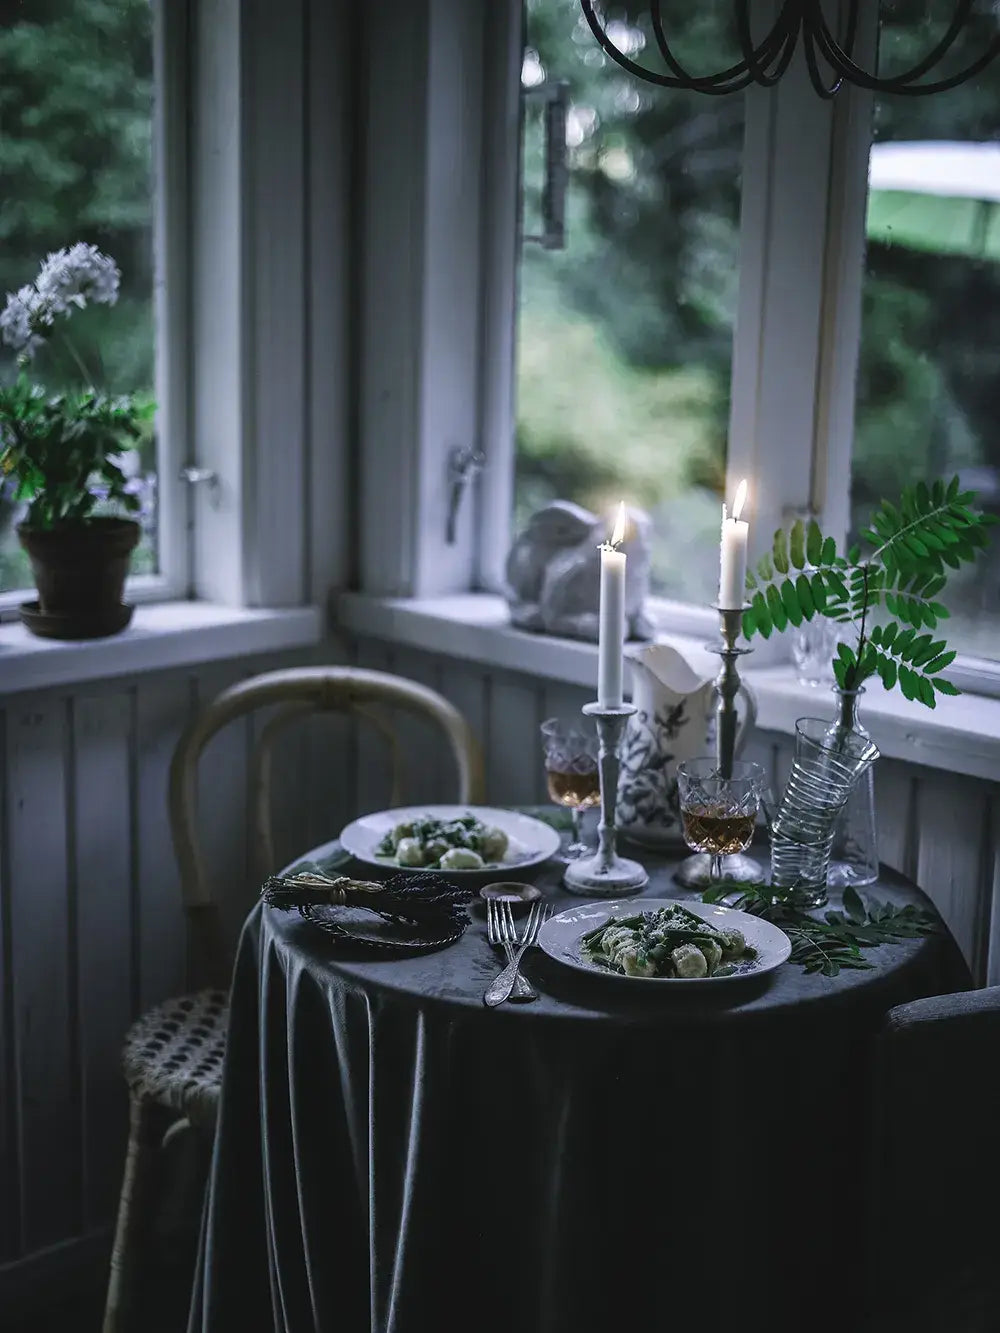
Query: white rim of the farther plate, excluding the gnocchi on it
(531, 842)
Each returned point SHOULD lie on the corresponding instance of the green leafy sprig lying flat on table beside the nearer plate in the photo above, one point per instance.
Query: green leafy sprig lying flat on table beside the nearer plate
(838, 939)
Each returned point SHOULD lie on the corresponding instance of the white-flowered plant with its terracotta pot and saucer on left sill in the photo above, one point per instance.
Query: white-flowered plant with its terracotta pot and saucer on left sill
(66, 454)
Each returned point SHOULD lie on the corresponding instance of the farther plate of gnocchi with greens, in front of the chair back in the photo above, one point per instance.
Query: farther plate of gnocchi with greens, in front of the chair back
(455, 840)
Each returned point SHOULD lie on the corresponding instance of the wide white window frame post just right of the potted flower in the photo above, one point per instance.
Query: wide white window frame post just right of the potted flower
(253, 227)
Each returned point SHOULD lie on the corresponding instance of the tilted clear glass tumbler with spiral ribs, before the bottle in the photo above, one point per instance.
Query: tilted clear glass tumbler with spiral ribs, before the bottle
(829, 764)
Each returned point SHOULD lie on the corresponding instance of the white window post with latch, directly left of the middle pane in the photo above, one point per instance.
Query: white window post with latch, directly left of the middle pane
(422, 238)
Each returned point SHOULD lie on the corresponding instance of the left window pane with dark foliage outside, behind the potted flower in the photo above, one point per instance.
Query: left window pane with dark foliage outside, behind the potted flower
(77, 165)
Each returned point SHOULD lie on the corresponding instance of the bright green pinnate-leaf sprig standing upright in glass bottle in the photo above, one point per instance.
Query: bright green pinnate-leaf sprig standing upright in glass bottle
(914, 546)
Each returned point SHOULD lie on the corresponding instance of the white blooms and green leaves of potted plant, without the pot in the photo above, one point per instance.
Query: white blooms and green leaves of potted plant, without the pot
(66, 453)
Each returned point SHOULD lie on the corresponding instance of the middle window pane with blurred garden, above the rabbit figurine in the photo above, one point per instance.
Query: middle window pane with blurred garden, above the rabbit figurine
(625, 338)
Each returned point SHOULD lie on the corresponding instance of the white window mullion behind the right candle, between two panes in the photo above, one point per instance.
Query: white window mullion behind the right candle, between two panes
(797, 342)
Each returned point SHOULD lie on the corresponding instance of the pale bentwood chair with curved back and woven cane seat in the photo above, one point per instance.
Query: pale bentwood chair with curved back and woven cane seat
(174, 1055)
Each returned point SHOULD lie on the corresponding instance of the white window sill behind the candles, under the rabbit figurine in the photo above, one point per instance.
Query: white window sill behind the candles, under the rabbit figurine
(962, 735)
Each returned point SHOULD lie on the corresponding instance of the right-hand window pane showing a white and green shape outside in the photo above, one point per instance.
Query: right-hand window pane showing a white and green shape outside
(929, 398)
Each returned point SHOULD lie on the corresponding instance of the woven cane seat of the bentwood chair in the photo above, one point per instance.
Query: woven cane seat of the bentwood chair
(174, 1055)
